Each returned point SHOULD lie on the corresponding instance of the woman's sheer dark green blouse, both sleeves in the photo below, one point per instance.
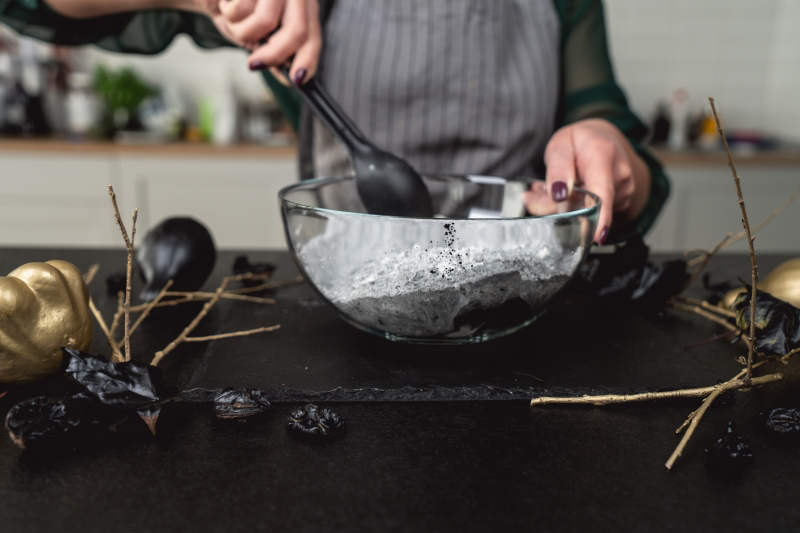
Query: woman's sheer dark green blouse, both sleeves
(589, 89)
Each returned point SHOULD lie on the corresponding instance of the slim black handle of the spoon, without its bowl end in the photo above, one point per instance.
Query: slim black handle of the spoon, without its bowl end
(328, 111)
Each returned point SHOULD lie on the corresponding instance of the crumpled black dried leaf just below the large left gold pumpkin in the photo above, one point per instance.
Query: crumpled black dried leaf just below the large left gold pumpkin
(116, 386)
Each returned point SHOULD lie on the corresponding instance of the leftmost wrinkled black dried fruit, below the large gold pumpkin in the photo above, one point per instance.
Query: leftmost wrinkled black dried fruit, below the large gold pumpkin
(42, 422)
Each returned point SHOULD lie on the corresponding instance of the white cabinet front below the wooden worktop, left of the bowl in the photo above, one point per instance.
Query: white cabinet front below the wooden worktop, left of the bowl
(57, 197)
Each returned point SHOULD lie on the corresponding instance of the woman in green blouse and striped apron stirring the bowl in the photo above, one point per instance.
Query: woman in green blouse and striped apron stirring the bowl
(508, 88)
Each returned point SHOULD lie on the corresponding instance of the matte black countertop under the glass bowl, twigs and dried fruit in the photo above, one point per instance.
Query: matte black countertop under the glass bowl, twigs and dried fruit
(414, 465)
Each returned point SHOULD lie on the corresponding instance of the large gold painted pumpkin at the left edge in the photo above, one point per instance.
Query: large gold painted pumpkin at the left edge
(43, 307)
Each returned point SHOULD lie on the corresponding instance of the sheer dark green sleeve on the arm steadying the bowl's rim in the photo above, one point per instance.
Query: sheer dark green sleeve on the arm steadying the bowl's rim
(589, 90)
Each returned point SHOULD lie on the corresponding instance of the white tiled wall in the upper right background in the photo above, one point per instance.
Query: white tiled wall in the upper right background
(744, 53)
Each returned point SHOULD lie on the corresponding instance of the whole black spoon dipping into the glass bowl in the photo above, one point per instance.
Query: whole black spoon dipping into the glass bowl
(386, 184)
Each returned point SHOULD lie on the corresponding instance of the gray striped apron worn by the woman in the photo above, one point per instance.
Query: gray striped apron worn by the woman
(453, 86)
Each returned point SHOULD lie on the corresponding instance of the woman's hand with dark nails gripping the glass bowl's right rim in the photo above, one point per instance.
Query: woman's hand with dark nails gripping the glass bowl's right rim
(595, 155)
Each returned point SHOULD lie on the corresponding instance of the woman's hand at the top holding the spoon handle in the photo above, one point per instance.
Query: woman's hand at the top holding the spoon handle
(273, 30)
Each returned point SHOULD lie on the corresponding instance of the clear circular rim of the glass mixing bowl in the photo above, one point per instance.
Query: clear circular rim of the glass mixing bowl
(585, 211)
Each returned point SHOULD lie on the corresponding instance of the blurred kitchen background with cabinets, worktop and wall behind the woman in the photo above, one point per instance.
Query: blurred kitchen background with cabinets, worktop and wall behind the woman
(194, 132)
